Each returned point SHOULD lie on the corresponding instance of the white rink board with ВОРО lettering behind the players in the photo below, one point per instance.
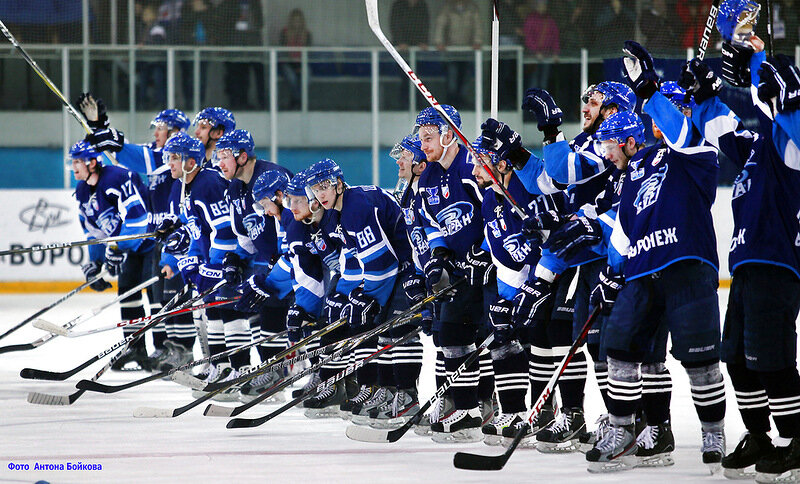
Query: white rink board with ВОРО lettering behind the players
(46, 216)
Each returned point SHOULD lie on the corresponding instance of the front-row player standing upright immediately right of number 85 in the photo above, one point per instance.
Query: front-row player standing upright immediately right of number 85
(259, 234)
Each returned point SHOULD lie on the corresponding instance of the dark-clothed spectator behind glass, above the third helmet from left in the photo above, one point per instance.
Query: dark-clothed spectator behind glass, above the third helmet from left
(243, 21)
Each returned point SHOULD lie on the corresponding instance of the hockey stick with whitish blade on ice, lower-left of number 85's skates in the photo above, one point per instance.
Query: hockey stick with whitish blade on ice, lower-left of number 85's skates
(215, 388)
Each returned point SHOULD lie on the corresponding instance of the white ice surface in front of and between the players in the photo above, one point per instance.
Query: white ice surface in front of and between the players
(100, 428)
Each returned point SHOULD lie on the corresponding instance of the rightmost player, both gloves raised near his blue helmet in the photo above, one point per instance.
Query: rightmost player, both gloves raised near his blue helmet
(759, 337)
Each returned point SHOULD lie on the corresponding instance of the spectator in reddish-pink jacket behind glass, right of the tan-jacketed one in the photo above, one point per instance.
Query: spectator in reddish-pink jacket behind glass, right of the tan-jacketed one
(542, 42)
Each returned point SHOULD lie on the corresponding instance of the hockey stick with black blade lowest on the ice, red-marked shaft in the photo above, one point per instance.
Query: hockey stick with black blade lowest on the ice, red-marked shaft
(477, 462)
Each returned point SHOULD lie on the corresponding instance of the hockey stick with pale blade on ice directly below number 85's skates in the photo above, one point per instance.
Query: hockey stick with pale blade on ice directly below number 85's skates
(333, 351)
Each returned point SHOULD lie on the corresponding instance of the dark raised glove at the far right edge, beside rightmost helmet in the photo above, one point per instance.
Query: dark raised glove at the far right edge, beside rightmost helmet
(779, 79)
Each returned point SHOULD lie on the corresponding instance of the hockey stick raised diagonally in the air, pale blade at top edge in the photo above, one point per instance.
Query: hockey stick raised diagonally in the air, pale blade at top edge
(374, 24)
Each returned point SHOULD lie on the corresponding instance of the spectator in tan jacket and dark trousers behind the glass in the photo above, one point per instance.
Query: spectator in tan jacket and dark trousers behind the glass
(458, 24)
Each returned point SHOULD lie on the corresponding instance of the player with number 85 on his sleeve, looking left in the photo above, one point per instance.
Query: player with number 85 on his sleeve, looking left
(200, 244)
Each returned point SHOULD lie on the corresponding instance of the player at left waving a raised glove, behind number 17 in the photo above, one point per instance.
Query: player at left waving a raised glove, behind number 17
(174, 338)
